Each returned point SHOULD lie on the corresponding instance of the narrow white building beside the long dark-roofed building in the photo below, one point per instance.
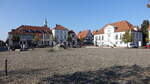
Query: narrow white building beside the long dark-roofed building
(60, 33)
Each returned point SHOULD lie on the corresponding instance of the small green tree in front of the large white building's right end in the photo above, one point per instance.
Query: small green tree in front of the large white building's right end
(127, 37)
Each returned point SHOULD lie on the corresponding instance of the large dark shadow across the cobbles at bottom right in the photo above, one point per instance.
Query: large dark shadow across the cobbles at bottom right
(112, 75)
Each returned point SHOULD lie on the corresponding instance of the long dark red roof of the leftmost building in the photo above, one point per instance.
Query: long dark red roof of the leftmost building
(25, 29)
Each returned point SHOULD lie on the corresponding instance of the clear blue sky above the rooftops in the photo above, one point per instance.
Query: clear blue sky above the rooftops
(73, 14)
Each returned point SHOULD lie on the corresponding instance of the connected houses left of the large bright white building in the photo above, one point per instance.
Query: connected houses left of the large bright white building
(26, 36)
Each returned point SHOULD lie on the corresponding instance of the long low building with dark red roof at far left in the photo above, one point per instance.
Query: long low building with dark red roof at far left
(30, 36)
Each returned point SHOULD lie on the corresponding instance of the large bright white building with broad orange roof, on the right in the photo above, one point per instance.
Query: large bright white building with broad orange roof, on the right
(111, 34)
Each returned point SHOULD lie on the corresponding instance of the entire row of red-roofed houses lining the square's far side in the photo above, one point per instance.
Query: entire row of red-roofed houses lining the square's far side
(109, 35)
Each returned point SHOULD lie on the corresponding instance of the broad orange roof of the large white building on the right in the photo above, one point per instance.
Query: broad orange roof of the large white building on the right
(119, 27)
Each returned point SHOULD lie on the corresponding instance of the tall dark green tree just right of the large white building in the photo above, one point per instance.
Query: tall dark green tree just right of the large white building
(144, 30)
